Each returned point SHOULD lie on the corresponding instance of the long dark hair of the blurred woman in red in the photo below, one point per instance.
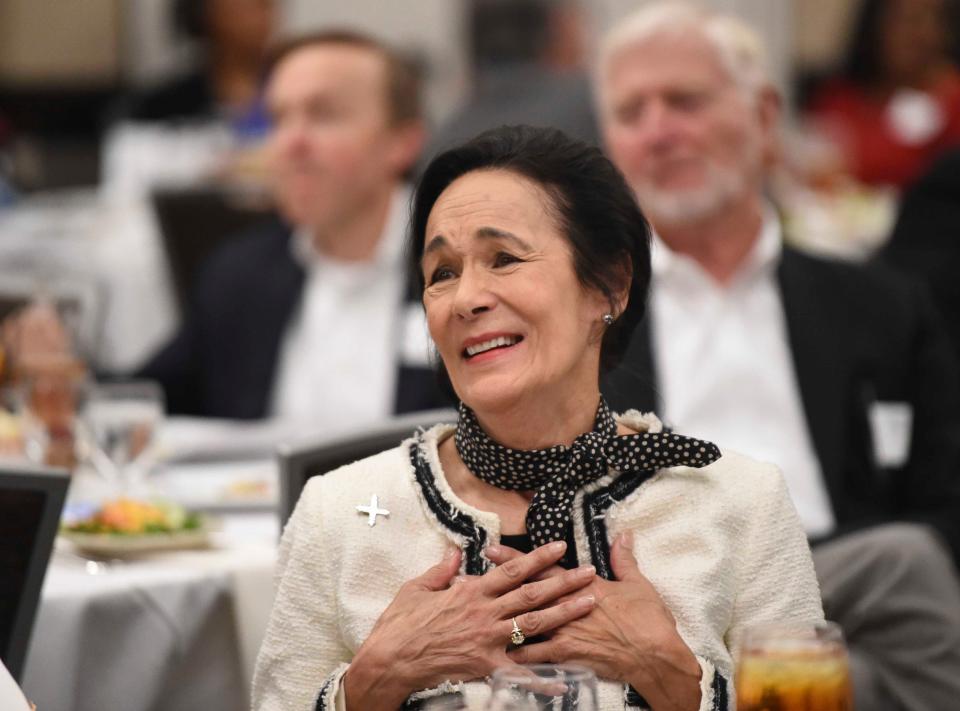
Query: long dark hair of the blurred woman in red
(862, 64)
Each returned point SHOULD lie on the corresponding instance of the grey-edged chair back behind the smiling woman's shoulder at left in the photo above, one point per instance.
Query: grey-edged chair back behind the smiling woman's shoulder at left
(305, 459)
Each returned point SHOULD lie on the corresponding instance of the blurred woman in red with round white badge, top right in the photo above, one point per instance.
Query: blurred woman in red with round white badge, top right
(895, 105)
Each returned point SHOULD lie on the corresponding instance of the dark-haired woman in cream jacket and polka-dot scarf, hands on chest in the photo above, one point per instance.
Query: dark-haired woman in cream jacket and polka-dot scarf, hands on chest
(542, 527)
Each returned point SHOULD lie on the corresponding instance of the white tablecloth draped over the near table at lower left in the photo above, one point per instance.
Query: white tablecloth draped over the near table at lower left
(175, 631)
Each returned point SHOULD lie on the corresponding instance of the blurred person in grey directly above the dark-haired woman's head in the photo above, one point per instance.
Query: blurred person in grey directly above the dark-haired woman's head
(528, 68)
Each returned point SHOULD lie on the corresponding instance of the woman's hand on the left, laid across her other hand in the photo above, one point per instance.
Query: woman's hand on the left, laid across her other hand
(434, 631)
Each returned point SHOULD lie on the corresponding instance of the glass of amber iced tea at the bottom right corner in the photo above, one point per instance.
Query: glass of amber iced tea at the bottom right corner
(791, 668)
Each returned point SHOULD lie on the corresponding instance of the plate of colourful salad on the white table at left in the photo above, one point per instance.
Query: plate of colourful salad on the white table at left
(128, 526)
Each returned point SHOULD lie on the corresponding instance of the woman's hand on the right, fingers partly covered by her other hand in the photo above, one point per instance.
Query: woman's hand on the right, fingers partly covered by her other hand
(630, 636)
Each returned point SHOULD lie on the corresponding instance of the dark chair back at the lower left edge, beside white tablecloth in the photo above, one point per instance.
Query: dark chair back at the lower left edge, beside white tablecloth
(31, 501)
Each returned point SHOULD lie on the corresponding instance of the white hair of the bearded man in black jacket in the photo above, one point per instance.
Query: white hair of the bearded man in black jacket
(740, 49)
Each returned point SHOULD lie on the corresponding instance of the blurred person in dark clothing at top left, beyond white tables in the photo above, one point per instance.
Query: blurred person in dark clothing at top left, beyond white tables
(234, 36)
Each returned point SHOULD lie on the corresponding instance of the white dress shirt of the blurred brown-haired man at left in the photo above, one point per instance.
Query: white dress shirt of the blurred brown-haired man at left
(340, 354)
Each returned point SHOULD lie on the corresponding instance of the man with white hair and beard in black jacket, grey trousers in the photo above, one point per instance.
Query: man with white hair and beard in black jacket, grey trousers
(840, 374)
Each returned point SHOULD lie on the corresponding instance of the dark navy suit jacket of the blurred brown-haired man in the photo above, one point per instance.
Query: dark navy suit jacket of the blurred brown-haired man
(223, 361)
